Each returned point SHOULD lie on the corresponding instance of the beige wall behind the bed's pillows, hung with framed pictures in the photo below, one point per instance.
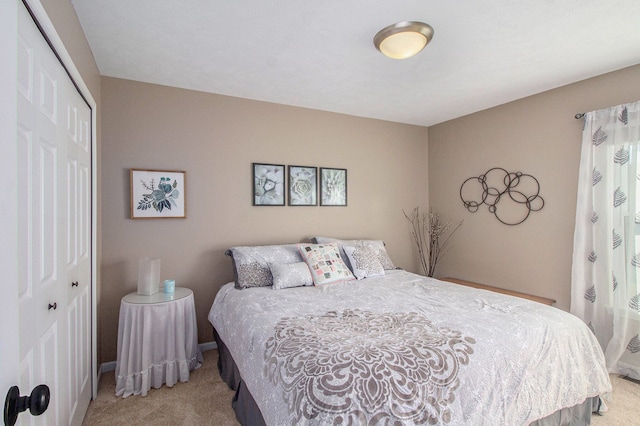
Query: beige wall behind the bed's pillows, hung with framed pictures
(215, 139)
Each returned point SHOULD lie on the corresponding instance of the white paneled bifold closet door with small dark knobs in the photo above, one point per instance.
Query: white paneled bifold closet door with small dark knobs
(54, 211)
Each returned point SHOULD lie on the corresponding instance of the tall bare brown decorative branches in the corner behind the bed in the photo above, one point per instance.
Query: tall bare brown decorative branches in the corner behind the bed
(432, 237)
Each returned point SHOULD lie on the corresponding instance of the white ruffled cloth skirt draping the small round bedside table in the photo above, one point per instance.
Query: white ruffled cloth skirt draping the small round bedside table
(157, 342)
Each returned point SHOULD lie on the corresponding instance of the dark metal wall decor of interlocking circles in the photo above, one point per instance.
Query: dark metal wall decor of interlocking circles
(518, 192)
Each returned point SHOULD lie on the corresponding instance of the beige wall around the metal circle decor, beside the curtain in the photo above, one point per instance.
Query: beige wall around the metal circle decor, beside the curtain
(537, 135)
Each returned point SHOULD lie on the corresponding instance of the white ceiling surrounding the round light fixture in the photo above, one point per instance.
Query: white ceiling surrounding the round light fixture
(320, 54)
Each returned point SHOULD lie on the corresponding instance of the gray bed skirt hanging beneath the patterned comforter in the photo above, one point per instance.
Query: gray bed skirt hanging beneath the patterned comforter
(248, 413)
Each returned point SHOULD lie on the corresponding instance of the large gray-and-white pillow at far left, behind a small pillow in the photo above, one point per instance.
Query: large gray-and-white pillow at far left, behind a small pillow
(251, 263)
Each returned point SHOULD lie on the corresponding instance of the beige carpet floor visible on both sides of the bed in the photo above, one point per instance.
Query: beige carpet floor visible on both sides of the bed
(206, 400)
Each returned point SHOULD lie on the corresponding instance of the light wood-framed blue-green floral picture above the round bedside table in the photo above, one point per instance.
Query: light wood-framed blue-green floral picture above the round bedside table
(158, 194)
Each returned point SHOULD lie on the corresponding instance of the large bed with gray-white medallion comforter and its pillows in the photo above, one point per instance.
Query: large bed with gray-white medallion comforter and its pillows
(393, 347)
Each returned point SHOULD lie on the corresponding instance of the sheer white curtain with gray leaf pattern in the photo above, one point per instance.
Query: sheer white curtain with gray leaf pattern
(605, 291)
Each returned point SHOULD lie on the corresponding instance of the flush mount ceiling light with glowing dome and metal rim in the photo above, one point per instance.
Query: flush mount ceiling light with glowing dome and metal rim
(404, 39)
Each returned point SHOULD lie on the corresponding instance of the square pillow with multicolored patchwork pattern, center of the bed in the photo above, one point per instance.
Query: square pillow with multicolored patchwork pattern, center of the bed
(325, 263)
